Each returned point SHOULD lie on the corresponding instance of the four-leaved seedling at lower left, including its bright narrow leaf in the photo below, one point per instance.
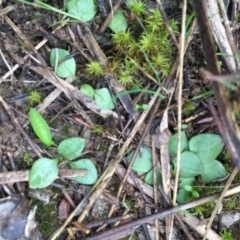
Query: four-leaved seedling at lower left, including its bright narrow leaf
(44, 170)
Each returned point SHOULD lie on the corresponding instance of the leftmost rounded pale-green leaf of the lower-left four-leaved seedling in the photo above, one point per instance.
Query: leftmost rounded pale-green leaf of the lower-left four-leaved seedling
(43, 172)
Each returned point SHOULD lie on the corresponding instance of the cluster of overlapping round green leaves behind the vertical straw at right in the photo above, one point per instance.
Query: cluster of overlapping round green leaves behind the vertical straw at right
(198, 158)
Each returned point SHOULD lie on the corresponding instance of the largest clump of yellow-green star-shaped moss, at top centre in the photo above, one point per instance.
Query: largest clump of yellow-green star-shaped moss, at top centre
(150, 50)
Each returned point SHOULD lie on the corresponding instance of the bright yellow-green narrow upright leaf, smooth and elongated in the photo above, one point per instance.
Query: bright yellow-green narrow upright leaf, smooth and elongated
(40, 127)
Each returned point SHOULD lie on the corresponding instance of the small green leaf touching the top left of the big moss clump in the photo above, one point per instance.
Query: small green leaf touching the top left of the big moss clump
(118, 22)
